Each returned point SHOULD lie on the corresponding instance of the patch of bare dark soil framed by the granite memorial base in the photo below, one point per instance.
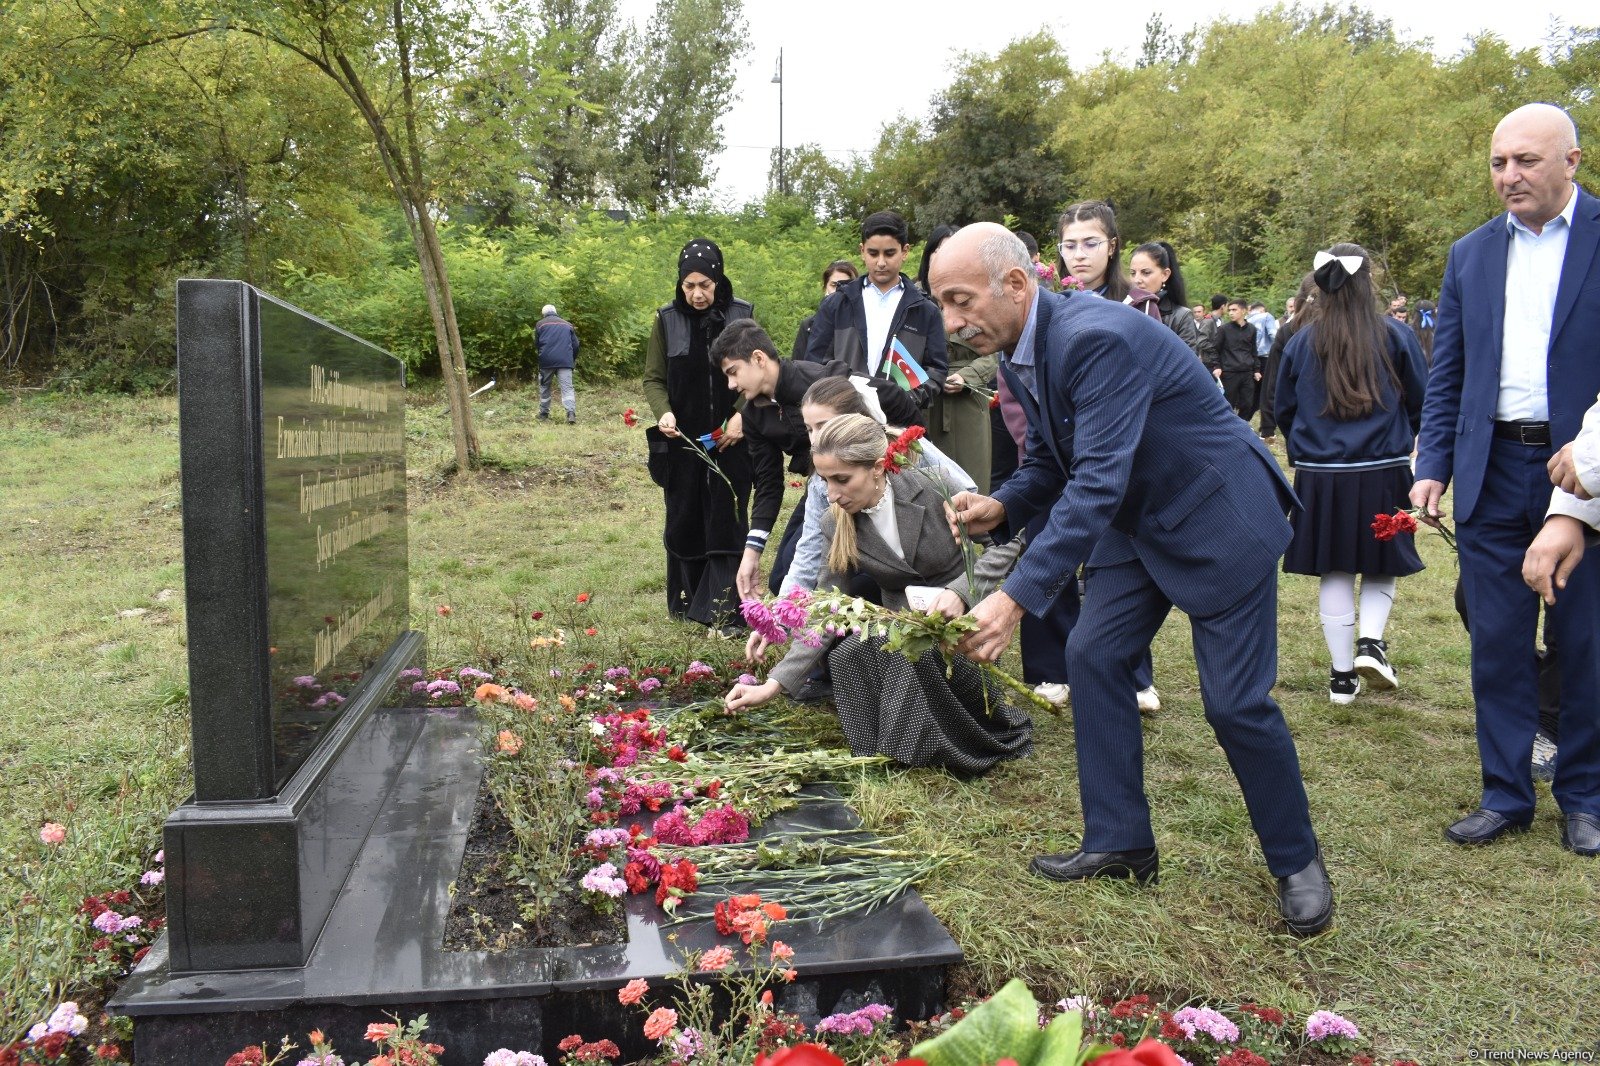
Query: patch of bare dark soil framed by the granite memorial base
(486, 913)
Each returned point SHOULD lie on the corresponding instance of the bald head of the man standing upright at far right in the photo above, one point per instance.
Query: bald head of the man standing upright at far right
(1532, 162)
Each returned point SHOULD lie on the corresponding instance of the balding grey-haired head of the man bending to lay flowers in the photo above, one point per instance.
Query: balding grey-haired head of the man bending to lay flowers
(985, 279)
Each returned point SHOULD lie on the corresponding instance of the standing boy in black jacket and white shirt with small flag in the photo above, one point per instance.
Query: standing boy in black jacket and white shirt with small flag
(862, 321)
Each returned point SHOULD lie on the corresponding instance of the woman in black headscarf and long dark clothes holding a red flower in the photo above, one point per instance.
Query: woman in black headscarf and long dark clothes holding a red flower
(706, 515)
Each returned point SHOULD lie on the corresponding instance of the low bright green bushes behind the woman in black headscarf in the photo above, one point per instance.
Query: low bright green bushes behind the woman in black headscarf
(606, 278)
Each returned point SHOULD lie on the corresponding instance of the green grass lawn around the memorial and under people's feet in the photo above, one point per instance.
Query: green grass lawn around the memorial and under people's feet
(1436, 950)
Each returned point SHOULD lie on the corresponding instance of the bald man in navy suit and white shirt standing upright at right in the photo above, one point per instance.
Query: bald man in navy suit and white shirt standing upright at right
(1516, 364)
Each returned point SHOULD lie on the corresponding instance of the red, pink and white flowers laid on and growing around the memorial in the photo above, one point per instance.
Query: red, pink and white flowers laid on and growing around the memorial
(630, 782)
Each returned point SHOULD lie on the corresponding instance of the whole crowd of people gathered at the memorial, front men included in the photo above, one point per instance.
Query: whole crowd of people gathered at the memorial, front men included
(1113, 451)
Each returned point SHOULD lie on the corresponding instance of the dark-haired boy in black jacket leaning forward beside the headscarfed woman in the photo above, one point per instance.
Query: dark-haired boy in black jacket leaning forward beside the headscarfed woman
(772, 390)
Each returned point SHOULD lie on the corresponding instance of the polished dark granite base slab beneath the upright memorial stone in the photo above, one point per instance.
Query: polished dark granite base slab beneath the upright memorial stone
(382, 948)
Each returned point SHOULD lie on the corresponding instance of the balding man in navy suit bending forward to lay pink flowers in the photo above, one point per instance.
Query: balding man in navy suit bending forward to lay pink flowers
(1130, 441)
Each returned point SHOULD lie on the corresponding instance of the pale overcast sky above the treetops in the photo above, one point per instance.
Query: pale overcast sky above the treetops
(838, 57)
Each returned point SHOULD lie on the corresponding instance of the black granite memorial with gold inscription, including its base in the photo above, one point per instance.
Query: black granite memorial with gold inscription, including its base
(310, 878)
